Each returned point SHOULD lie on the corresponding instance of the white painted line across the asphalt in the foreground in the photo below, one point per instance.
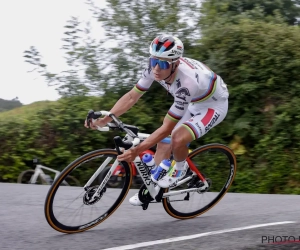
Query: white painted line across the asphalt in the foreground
(194, 236)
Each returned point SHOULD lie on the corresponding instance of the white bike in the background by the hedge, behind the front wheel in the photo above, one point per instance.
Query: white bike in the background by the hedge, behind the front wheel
(38, 176)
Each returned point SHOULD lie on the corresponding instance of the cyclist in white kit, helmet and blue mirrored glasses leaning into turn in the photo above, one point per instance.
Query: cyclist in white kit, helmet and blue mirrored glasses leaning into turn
(200, 103)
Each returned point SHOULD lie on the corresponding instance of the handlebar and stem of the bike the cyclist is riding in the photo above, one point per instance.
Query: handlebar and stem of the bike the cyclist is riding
(92, 115)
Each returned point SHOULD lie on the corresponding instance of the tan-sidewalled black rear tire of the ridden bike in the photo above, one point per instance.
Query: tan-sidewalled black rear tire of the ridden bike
(232, 159)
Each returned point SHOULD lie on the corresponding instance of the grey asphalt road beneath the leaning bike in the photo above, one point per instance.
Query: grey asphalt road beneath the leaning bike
(239, 221)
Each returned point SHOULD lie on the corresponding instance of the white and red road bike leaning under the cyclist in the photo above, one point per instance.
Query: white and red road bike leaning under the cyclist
(75, 209)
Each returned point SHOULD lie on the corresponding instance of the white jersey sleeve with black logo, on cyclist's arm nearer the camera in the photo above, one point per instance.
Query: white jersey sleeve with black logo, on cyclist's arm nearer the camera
(182, 98)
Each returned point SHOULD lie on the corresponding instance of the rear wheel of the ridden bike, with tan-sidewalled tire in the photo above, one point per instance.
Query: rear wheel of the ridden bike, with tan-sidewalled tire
(217, 164)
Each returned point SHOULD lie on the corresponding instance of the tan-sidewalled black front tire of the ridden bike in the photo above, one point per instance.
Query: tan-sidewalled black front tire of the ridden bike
(48, 207)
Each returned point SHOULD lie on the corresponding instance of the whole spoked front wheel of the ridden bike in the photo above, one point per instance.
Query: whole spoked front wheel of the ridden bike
(73, 209)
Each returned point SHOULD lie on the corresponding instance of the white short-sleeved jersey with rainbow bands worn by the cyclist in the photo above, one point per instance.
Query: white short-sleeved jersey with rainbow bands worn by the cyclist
(194, 87)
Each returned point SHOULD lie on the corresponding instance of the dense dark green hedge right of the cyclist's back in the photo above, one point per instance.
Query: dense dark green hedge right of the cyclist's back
(259, 61)
